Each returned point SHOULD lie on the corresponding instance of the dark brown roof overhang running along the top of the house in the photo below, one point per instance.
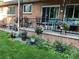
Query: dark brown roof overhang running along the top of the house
(14, 2)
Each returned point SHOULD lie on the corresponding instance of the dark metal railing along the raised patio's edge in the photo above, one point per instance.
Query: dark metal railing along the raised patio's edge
(50, 24)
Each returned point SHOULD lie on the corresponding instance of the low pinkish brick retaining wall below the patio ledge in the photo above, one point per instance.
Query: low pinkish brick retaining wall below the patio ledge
(52, 38)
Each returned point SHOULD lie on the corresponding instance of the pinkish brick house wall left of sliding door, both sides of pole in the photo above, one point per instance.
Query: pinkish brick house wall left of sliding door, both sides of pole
(36, 12)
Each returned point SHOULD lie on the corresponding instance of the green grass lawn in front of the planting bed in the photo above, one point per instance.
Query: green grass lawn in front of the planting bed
(16, 50)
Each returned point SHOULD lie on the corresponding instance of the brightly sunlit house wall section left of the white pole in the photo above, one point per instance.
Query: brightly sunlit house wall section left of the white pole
(8, 18)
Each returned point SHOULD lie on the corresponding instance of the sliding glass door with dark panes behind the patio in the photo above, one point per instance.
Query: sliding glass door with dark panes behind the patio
(49, 13)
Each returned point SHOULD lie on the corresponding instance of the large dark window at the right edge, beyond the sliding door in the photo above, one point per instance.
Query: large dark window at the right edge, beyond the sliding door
(72, 11)
